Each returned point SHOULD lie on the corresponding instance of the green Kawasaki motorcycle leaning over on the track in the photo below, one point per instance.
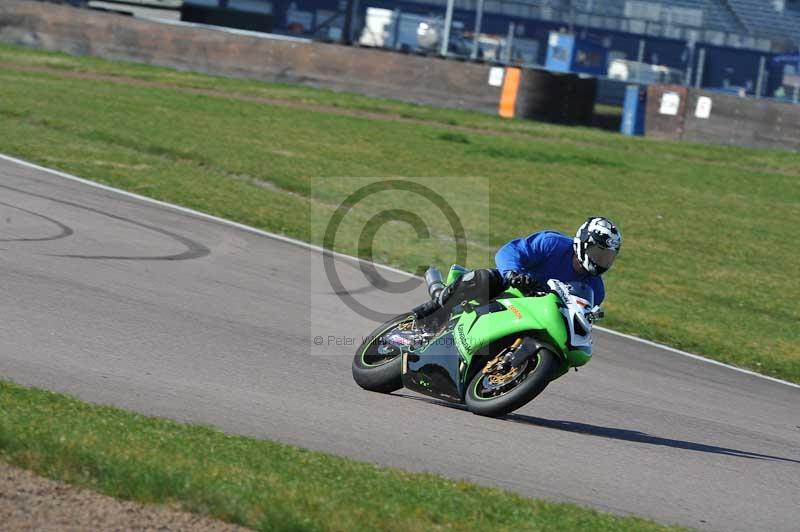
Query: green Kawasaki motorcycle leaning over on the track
(494, 357)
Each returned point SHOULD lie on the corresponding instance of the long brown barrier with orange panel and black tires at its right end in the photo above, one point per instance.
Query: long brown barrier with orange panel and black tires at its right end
(373, 72)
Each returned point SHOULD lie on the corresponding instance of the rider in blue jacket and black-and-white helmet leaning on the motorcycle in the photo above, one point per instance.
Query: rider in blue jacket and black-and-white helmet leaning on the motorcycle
(528, 263)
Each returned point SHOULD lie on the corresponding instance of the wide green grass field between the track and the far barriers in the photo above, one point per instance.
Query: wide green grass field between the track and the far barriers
(708, 262)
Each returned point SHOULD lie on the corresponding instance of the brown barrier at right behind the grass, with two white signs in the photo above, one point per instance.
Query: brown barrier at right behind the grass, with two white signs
(729, 119)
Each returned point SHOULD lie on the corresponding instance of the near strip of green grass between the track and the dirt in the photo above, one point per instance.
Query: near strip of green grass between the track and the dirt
(261, 484)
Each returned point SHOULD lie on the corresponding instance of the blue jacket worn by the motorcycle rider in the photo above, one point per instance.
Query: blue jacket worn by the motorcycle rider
(546, 255)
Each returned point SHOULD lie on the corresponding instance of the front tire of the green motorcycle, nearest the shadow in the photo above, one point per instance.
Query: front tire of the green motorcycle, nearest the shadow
(481, 400)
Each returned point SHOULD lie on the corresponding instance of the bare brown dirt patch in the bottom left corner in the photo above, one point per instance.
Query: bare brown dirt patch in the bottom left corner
(31, 502)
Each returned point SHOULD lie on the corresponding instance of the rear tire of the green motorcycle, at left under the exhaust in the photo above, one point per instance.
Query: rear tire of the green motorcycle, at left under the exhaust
(373, 373)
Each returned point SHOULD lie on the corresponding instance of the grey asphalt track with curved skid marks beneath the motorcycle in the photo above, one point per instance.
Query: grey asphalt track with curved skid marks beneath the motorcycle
(127, 303)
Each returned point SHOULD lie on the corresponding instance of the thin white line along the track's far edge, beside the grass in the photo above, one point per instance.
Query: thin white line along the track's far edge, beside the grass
(307, 245)
